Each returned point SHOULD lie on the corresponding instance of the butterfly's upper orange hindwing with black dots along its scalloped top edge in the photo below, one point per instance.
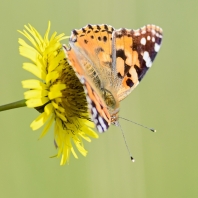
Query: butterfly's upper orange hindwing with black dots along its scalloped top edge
(94, 43)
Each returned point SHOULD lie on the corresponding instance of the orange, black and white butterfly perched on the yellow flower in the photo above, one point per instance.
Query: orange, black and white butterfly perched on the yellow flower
(110, 63)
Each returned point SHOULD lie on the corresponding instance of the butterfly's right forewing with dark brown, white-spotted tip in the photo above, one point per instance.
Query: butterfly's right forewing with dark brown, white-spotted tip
(133, 54)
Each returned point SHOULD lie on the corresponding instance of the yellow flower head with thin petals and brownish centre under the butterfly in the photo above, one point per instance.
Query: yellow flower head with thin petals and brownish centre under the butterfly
(57, 93)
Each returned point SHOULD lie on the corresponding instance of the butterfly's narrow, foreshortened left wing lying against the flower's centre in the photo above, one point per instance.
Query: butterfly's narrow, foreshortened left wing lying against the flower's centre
(97, 107)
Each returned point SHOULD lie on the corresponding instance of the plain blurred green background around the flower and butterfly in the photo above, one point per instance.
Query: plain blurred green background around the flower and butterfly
(166, 162)
